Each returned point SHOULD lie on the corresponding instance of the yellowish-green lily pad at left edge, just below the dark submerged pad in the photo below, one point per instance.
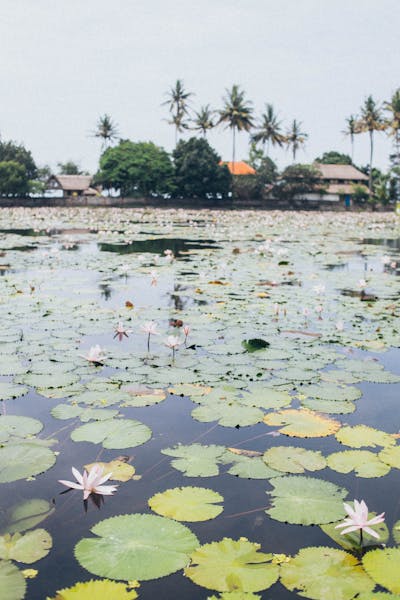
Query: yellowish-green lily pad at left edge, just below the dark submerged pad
(27, 548)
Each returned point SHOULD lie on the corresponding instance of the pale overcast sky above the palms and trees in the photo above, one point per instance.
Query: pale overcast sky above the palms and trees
(66, 62)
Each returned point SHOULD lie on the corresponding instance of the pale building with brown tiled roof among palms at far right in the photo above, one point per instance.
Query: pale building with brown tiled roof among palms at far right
(337, 183)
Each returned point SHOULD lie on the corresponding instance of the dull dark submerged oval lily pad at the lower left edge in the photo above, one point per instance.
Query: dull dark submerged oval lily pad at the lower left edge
(26, 515)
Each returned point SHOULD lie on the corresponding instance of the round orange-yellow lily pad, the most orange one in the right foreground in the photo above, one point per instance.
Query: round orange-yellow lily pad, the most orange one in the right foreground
(302, 423)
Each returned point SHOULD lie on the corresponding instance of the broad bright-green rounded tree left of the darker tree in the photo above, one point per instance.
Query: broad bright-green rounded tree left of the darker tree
(140, 168)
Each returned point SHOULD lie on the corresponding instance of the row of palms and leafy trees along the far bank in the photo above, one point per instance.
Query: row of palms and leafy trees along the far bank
(193, 169)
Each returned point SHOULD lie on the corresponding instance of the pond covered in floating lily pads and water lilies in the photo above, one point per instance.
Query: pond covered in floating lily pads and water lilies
(237, 373)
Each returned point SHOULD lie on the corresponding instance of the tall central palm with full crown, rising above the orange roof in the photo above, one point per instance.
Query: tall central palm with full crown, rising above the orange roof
(237, 114)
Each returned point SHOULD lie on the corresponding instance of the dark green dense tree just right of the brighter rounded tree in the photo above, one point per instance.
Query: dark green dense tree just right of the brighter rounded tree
(198, 173)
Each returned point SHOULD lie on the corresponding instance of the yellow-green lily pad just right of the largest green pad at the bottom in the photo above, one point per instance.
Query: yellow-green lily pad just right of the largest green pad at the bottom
(231, 565)
